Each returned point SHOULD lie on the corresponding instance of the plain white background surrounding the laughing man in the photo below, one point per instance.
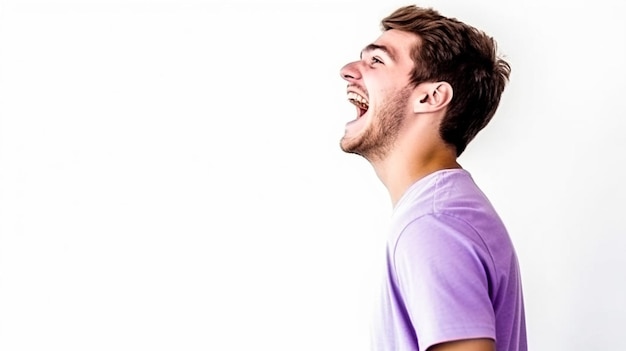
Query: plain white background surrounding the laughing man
(170, 176)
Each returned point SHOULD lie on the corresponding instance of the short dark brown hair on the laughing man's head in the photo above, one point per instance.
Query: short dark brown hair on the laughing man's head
(461, 55)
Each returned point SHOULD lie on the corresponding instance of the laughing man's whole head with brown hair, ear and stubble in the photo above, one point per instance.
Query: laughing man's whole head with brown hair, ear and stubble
(428, 59)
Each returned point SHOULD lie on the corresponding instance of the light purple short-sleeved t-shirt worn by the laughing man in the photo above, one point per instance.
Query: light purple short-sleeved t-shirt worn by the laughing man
(452, 271)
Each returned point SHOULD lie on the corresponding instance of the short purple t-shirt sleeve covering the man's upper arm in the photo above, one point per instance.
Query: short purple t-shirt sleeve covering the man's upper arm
(443, 271)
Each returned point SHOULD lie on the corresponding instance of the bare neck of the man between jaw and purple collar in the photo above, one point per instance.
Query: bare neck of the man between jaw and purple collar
(401, 169)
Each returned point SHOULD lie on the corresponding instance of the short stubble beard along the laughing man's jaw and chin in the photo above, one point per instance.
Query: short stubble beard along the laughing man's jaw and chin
(378, 139)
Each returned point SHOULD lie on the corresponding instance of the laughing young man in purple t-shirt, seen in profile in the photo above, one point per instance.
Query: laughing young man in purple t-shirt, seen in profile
(422, 91)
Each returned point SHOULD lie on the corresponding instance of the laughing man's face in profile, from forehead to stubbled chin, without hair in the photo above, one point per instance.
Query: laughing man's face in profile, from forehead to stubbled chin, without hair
(378, 85)
